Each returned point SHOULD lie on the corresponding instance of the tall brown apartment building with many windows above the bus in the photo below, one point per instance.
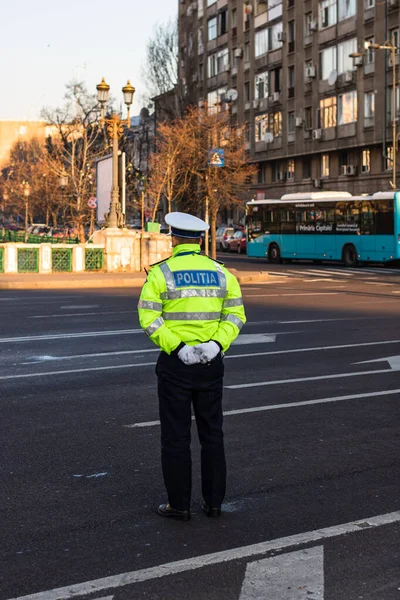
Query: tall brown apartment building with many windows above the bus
(316, 118)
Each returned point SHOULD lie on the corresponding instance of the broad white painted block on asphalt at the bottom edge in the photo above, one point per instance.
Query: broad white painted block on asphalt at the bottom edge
(291, 576)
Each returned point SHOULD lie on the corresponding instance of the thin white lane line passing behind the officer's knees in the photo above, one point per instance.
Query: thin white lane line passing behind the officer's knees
(268, 407)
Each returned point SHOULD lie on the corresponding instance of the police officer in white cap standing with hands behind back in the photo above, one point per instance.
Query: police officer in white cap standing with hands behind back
(192, 308)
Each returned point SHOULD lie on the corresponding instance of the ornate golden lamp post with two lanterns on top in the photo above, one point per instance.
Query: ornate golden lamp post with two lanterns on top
(115, 127)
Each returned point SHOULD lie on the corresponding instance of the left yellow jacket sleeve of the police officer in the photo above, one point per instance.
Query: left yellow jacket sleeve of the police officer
(150, 310)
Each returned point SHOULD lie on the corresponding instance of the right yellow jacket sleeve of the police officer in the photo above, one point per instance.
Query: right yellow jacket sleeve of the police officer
(233, 316)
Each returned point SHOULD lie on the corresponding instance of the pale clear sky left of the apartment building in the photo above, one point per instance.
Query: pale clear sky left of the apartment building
(44, 44)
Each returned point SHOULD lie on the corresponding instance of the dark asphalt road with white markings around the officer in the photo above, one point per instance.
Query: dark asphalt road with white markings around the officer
(312, 440)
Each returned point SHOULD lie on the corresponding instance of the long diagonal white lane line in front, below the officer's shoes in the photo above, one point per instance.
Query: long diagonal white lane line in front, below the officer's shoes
(206, 560)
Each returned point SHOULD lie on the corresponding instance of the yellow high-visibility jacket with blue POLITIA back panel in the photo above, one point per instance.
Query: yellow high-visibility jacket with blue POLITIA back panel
(190, 299)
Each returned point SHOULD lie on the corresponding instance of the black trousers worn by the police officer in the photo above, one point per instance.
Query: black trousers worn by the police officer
(180, 386)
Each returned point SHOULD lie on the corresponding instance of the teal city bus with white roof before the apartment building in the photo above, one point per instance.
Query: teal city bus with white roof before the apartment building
(323, 226)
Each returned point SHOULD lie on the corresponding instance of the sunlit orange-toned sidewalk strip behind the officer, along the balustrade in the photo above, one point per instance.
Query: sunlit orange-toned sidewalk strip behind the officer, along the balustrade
(52, 281)
